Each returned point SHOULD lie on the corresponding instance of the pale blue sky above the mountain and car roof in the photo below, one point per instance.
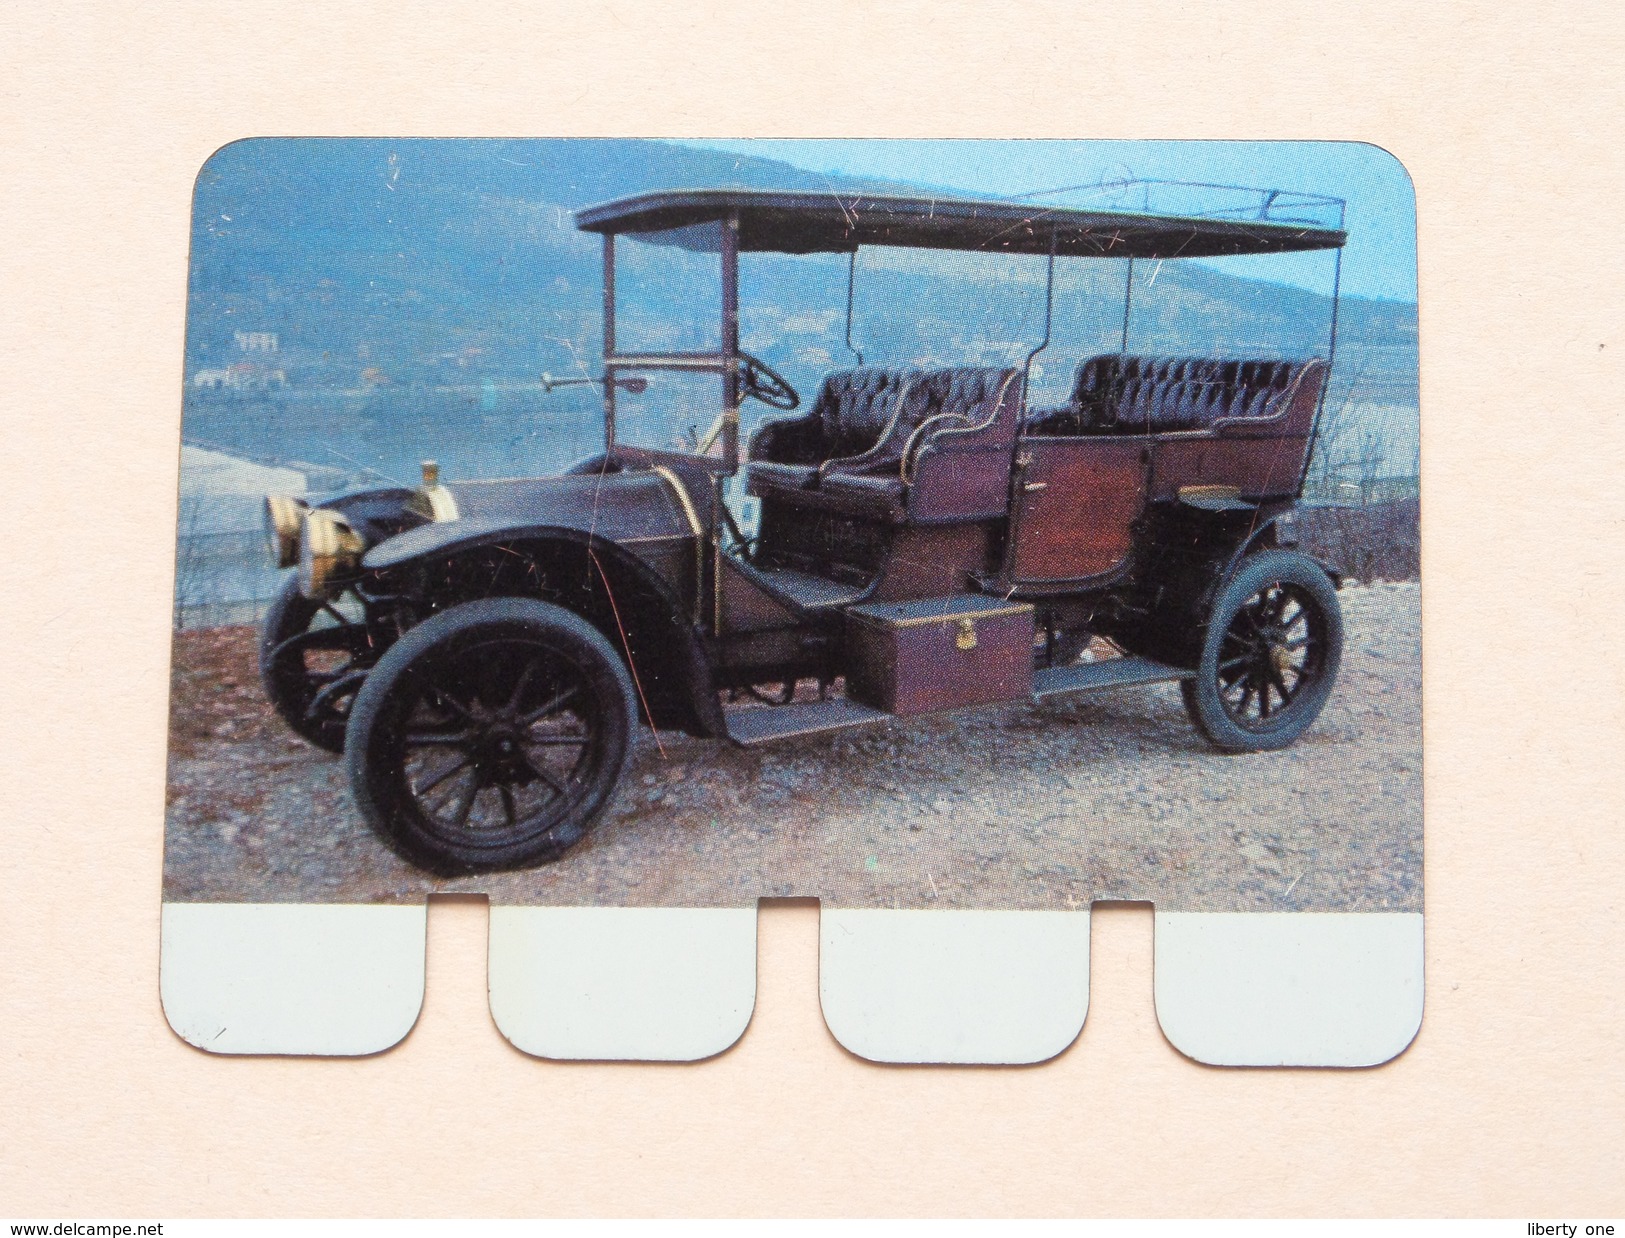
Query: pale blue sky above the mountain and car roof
(1380, 259)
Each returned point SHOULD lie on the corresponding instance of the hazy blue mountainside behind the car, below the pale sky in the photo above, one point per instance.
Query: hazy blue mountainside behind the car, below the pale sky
(449, 262)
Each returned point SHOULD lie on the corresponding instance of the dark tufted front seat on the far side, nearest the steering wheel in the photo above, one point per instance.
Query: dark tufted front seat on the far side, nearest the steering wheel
(849, 420)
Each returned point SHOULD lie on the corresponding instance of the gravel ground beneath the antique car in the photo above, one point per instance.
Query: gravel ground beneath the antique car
(1109, 795)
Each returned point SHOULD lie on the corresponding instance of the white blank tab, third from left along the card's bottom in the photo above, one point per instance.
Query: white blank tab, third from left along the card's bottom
(955, 987)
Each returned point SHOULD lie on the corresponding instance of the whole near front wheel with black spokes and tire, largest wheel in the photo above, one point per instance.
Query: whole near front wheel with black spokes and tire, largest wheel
(492, 737)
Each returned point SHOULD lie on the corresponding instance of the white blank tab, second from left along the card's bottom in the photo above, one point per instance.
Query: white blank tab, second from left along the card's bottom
(623, 984)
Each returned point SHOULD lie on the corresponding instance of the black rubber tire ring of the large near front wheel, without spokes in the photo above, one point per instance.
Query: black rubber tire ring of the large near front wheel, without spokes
(376, 789)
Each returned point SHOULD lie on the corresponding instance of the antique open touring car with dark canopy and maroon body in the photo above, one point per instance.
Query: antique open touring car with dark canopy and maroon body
(483, 651)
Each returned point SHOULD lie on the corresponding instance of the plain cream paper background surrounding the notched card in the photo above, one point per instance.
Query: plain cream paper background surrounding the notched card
(1512, 1102)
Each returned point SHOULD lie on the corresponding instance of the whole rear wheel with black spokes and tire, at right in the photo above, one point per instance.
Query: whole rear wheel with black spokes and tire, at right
(1272, 656)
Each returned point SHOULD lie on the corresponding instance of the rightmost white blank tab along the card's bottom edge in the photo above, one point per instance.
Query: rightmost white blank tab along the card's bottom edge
(1291, 989)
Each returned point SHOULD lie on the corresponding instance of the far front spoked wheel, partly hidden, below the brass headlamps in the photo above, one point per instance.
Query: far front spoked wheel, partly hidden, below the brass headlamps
(314, 657)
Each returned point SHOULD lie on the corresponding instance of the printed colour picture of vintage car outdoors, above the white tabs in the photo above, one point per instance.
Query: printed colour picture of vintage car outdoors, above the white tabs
(753, 539)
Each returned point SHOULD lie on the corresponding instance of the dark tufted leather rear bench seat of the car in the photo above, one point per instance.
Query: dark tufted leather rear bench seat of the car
(1166, 396)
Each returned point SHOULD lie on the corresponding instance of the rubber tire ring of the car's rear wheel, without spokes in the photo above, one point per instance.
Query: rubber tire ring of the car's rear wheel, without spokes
(1202, 695)
